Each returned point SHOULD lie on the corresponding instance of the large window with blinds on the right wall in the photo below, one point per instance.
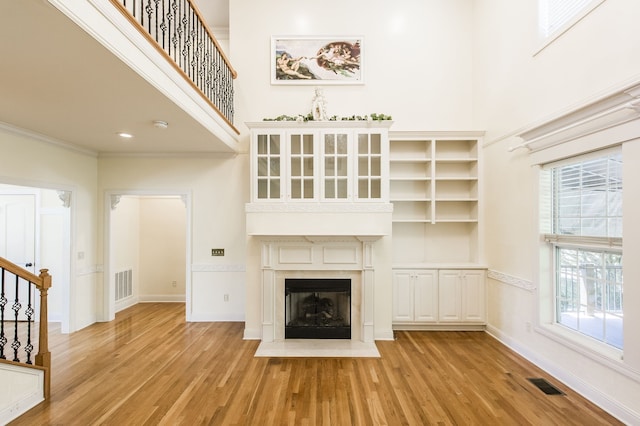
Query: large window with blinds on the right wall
(582, 223)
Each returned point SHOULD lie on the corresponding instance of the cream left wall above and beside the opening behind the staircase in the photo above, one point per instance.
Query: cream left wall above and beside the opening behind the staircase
(30, 161)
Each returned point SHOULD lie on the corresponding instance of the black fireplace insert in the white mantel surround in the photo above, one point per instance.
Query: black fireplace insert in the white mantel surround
(317, 308)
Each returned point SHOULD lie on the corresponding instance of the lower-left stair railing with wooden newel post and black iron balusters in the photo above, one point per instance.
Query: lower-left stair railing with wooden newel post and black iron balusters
(17, 300)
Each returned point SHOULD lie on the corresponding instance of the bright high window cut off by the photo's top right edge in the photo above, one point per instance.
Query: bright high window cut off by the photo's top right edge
(549, 31)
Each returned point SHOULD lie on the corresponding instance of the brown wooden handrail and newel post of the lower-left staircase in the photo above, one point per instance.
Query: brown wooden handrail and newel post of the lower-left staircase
(43, 283)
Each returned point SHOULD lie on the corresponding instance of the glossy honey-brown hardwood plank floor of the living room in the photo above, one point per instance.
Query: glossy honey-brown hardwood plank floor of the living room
(151, 367)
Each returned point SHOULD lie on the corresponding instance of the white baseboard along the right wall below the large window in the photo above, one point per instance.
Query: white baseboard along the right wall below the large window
(623, 413)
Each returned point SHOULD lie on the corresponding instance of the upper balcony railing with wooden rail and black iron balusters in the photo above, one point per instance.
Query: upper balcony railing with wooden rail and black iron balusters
(178, 30)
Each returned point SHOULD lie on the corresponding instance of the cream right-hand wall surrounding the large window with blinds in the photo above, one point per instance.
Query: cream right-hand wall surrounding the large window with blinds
(515, 89)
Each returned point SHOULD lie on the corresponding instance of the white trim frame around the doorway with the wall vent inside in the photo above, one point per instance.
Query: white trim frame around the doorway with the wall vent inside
(109, 304)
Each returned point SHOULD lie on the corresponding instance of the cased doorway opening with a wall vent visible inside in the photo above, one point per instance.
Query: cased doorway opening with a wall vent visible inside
(147, 246)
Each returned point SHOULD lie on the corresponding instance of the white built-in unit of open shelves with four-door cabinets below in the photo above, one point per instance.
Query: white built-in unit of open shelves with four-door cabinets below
(435, 188)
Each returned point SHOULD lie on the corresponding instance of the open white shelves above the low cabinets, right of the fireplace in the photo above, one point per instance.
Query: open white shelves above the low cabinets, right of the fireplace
(435, 189)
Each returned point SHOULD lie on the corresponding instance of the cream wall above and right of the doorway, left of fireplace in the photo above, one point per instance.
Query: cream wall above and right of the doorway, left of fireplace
(217, 189)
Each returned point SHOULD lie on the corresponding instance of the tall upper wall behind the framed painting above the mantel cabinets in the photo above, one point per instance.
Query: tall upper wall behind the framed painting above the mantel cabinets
(417, 59)
